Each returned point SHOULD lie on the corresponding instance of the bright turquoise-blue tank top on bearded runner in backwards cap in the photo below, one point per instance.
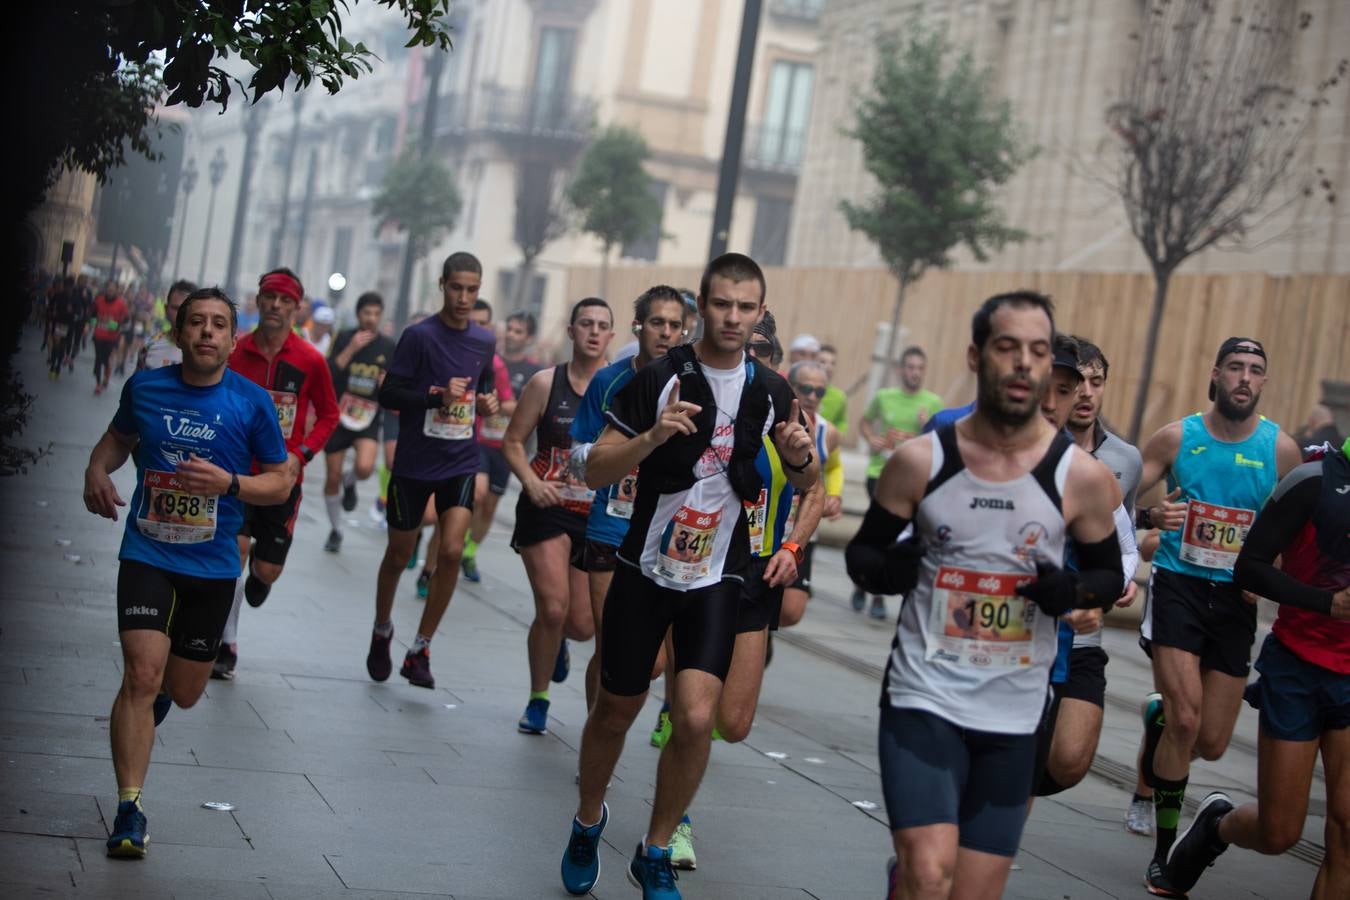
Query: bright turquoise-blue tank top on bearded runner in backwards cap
(1225, 484)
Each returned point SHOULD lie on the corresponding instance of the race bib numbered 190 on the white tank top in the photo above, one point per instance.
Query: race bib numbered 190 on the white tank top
(978, 620)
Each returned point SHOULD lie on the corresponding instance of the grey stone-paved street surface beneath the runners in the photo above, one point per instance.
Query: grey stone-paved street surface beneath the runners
(349, 789)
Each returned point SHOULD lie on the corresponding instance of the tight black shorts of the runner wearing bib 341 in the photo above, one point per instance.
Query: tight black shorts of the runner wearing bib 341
(703, 625)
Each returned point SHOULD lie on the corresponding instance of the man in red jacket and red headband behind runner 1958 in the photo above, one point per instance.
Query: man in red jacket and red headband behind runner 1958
(298, 380)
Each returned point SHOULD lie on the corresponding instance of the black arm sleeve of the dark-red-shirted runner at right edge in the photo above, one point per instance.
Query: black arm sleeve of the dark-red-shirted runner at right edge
(1279, 524)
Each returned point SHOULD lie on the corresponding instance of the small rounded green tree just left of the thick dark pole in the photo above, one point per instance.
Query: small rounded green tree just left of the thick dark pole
(614, 195)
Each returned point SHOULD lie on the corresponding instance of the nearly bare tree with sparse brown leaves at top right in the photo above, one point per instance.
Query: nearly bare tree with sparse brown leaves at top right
(1209, 129)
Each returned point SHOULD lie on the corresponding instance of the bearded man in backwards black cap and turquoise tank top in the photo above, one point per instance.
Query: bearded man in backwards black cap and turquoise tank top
(1221, 466)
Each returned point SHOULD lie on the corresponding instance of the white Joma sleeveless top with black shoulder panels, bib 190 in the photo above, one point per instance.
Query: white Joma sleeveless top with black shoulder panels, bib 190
(969, 650)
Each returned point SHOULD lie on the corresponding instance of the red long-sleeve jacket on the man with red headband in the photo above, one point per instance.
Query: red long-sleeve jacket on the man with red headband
(299, 380)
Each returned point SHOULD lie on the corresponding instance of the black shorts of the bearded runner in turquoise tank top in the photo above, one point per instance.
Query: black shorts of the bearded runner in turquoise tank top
(1206, 619)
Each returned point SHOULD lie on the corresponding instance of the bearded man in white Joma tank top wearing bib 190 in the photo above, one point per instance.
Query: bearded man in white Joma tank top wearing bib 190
(994, 501)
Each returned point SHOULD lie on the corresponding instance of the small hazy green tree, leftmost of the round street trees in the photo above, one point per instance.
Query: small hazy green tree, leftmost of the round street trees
(419, 198)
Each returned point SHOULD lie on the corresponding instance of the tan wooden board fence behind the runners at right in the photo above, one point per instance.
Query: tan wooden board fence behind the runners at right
(1302, 320)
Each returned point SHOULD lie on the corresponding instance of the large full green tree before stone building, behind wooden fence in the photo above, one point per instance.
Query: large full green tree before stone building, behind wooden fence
(939, 142)
